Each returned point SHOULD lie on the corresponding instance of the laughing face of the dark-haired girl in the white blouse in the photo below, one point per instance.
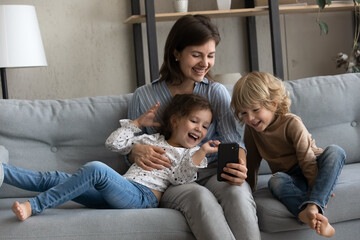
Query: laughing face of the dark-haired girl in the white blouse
(189, 131)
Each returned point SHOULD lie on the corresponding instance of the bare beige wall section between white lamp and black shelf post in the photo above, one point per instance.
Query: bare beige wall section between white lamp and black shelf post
(88, 48)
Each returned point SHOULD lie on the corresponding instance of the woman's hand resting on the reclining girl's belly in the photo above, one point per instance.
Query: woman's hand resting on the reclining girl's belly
(149, 157)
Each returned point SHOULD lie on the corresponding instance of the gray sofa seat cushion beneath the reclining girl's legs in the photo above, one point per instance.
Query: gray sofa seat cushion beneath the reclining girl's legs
(73, 221)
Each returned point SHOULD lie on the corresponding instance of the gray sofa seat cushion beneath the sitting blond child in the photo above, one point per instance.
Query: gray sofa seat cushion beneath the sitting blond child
(345, 206)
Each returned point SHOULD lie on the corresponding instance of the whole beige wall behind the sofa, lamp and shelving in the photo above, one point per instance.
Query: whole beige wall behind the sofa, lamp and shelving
(90, 50)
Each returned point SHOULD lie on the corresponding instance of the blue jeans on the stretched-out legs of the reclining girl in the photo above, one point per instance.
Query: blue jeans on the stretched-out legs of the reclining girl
(94, 185)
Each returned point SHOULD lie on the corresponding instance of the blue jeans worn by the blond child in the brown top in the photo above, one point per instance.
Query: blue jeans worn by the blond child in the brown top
(292, 190)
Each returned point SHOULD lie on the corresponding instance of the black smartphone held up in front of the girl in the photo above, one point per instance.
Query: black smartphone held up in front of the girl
(227, 153)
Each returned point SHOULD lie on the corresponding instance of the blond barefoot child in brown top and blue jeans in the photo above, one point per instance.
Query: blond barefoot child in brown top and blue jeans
(304, 175)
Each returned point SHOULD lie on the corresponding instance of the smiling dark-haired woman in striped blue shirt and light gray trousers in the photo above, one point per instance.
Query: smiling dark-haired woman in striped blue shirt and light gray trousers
(189, 55)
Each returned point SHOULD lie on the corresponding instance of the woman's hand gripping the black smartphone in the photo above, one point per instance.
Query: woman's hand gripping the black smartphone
(239, 170)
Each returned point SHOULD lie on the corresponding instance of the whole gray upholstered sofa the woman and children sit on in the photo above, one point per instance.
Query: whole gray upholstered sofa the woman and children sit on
(65, 134)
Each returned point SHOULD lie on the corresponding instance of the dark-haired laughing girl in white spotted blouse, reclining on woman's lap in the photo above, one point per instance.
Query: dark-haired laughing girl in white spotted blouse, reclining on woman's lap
(97, 185)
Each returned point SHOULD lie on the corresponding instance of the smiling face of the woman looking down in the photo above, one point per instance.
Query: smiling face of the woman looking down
(196, 61)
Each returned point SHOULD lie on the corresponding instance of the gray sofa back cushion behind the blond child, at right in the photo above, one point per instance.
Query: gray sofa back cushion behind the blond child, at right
(329, 108)
